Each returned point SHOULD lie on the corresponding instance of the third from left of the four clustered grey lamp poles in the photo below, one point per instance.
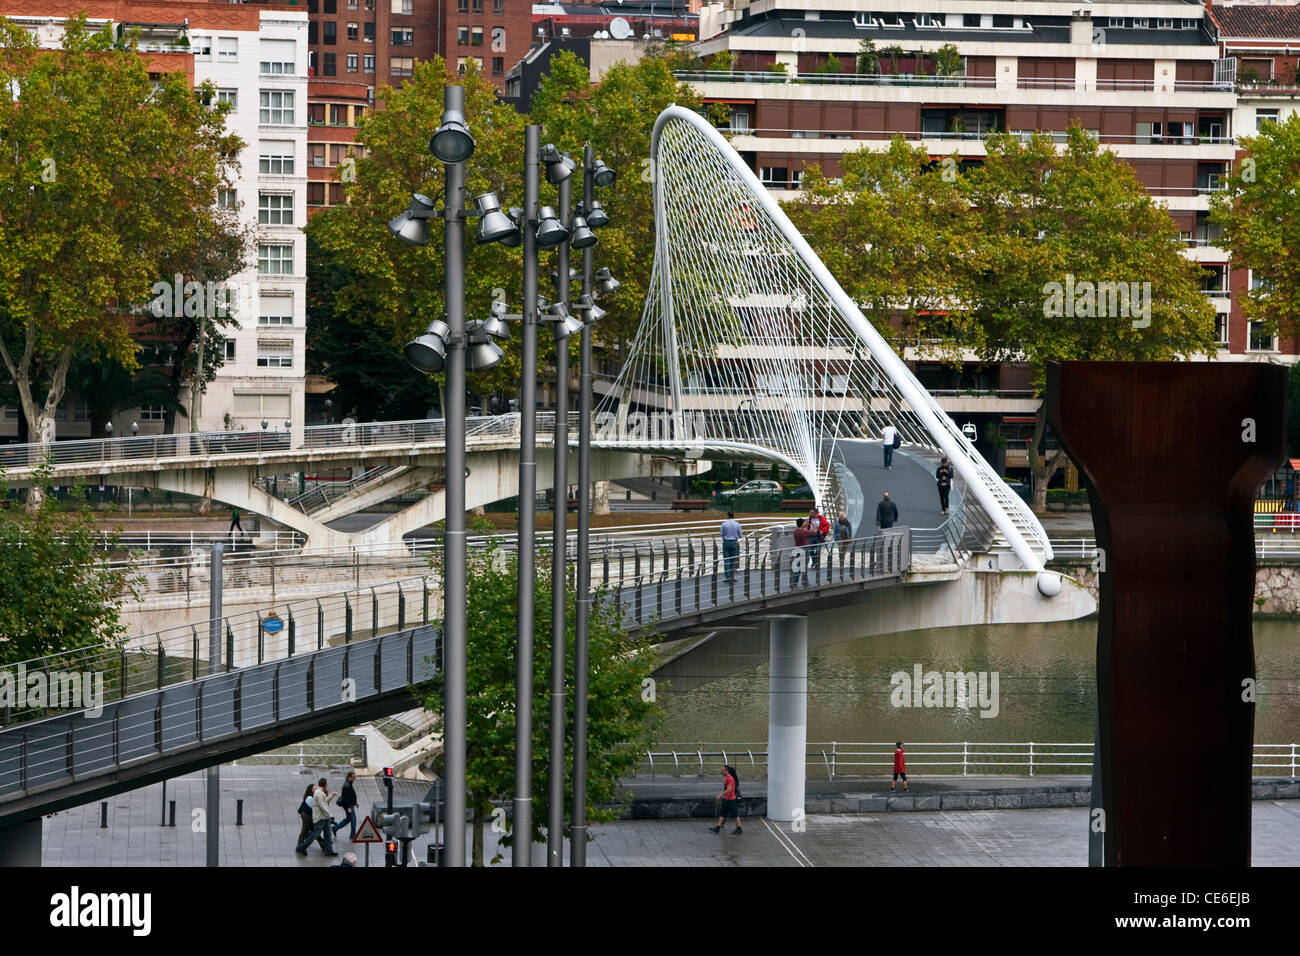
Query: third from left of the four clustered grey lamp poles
(556, 769)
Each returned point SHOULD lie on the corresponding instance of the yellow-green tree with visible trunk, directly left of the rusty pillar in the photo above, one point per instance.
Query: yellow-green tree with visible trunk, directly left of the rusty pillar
(1051, 220)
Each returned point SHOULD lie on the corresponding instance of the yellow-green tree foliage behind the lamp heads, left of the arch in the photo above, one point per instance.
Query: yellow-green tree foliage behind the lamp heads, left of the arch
(388, 291)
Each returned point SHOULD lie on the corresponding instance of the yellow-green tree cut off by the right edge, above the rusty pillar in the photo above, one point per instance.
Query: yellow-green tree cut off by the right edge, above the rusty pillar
(1258, 213)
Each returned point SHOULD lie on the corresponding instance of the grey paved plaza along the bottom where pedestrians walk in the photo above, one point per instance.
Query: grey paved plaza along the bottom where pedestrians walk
(271, 795)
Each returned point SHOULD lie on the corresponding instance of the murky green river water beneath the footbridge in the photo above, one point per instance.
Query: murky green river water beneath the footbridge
(1047, 686)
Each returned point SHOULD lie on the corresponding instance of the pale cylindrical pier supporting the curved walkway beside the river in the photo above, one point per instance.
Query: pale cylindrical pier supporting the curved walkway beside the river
(788, 716)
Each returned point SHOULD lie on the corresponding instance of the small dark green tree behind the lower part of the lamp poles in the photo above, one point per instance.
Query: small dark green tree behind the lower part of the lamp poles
(621, 720)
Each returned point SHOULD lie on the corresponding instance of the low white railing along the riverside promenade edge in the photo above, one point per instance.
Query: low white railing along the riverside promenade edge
(842, 760)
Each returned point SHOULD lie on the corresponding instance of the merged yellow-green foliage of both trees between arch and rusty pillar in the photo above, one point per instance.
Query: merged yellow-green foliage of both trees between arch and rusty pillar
(989, 253)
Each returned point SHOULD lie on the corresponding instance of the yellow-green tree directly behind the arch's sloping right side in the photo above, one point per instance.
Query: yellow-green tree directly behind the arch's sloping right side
(899, 233)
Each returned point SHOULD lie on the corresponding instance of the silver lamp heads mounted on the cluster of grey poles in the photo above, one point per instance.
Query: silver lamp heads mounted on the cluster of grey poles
(453, 144)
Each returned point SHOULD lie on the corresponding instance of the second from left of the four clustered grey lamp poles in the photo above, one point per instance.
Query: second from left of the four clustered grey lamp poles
(523, 825)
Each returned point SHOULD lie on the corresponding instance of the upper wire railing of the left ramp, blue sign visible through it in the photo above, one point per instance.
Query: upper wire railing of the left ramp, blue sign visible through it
(180, 655)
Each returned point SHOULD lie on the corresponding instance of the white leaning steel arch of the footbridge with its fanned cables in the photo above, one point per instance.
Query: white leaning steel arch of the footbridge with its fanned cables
(748, 344)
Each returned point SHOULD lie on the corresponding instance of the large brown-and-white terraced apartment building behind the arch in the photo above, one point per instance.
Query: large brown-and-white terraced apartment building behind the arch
(1149, 79)
